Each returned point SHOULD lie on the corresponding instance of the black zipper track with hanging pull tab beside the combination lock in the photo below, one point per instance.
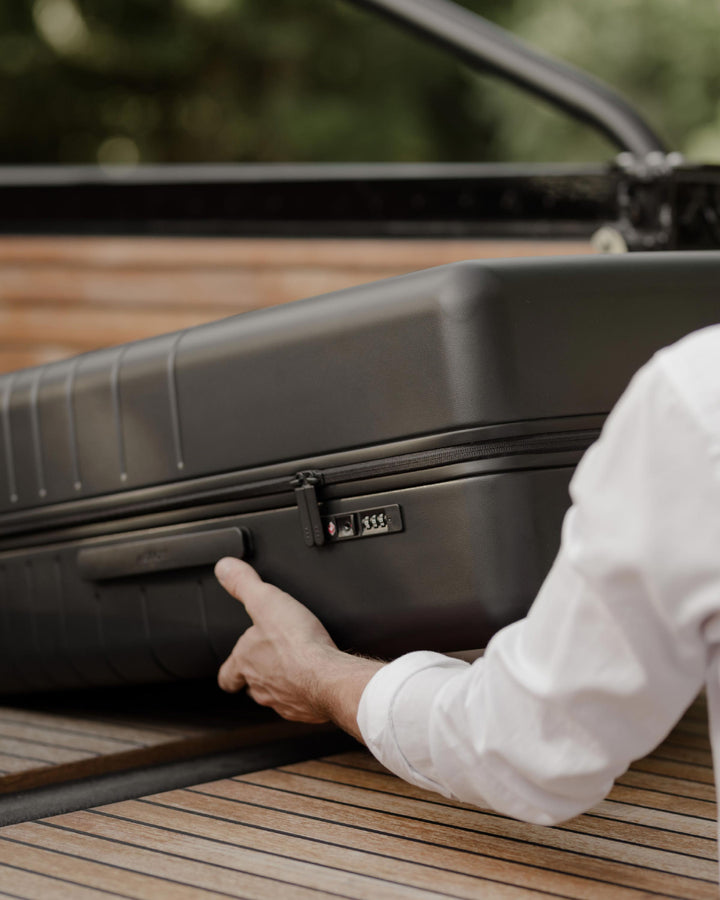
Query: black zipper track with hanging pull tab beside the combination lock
(306, 483)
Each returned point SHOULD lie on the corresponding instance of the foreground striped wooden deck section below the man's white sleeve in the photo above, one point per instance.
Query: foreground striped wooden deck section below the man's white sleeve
(341, 826)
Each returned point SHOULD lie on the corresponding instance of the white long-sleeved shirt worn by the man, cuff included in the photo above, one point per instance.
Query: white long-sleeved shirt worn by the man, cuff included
(621, 637)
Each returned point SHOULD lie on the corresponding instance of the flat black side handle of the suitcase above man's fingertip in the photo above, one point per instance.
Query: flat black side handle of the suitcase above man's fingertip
(161, 553)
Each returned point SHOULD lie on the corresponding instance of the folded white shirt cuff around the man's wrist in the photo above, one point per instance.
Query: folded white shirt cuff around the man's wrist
(394, 713)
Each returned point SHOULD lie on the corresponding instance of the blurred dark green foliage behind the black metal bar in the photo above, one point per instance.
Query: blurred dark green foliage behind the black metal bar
(321, 80)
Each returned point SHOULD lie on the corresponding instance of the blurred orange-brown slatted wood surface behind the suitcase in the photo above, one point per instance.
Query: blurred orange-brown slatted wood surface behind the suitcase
(64, 296)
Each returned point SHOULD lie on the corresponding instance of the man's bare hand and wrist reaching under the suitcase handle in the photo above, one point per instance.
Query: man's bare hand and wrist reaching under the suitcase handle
(287, 659)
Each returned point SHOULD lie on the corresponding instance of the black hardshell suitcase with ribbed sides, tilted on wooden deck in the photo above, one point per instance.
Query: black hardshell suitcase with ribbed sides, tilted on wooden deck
(396, 456)
